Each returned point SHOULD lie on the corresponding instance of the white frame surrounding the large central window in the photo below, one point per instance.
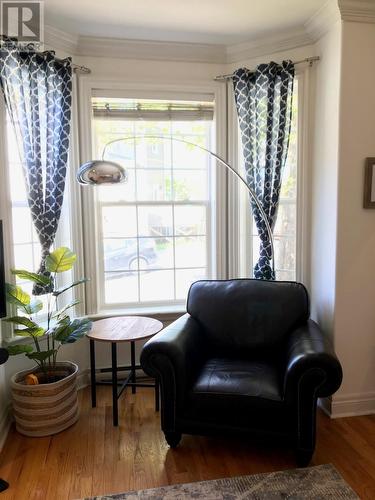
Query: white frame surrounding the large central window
(90, 87)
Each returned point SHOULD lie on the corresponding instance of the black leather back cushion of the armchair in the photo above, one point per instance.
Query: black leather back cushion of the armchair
(247, 315)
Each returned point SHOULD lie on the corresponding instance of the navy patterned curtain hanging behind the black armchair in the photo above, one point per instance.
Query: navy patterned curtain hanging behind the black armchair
(264, 107)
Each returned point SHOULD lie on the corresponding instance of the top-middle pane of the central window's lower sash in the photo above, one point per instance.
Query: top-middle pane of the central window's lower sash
(154, 220)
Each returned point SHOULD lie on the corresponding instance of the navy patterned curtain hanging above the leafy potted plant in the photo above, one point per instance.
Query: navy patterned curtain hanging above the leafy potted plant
(38, 90)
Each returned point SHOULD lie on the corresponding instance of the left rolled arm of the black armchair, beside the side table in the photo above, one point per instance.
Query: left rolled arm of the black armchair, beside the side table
(175, 352)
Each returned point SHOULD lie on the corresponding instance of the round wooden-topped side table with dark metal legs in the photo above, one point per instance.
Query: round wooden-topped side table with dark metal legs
(121, 329)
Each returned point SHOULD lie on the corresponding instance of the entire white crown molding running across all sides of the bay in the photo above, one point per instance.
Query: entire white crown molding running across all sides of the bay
(190, 52)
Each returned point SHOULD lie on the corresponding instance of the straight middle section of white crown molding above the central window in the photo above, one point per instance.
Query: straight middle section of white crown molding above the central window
(151, 50)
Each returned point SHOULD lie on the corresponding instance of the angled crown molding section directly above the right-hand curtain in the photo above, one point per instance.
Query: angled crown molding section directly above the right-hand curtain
(282, 41)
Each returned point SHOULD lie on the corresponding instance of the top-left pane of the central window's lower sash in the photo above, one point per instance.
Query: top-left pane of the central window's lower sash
(119, 221)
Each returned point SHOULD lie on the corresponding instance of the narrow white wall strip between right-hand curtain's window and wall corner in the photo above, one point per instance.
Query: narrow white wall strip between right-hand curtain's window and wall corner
(324, 176)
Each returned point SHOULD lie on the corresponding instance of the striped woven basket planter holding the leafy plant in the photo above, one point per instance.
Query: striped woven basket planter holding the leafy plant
(46, 409)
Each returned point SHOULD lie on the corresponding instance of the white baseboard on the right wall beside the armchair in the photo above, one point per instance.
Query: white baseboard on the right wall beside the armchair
(349, 405)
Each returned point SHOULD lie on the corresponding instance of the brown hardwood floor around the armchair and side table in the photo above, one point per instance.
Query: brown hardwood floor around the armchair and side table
(93, 457)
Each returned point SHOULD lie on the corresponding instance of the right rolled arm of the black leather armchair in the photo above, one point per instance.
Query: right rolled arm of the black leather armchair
(310, 356)
